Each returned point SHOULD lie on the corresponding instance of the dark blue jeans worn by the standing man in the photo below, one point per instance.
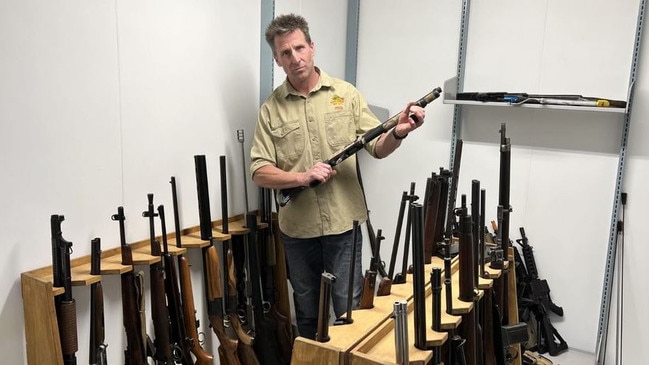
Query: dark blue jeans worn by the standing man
(307, 259)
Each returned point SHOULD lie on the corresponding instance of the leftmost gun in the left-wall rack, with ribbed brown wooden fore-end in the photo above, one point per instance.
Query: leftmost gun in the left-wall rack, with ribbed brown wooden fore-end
(66, 308)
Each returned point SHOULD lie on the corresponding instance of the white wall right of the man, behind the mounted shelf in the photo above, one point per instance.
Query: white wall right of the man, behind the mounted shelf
(563, 163)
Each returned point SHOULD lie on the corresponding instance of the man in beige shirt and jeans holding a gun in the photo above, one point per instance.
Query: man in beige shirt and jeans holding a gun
(304, 121)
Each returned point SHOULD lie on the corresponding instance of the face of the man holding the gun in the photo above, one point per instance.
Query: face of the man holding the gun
(295, 55)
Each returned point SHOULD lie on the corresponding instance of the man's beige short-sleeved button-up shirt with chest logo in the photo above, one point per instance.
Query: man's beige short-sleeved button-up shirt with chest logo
(294, 132)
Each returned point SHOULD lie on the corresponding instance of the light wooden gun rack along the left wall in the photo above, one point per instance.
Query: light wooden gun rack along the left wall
(41, 326)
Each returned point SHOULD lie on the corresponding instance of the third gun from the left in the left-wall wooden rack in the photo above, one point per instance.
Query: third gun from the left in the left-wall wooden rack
(132, 302)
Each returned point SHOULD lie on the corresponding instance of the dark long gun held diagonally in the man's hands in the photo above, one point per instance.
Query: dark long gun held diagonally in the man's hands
(285, 195)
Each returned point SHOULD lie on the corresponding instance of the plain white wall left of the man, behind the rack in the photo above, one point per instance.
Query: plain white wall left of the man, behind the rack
(100, 103)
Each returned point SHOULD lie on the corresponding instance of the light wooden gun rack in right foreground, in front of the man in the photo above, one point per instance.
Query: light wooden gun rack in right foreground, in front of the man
(369, 340)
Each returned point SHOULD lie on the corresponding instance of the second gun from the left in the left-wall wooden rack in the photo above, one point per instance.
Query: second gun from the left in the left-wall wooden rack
(97, 350)
